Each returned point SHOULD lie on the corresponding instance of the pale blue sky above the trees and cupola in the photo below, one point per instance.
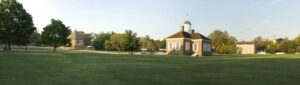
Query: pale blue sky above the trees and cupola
(244, 19)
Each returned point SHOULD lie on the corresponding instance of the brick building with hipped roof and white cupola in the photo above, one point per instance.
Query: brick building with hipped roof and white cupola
(188, 43)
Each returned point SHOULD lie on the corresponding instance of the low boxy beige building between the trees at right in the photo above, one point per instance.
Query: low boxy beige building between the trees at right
(245, 48)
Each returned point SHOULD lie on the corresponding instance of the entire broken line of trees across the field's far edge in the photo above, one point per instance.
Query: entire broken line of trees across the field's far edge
(17, 28)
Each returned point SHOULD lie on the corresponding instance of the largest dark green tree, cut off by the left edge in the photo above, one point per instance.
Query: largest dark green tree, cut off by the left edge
(16, 25)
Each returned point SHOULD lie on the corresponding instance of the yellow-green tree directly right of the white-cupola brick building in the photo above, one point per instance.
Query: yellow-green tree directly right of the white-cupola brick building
(223, 43)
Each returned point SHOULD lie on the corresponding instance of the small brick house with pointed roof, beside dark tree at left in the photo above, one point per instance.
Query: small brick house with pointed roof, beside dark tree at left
(76, 40)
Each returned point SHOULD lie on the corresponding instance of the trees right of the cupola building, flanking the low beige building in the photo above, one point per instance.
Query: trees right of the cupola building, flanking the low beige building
(224, 43)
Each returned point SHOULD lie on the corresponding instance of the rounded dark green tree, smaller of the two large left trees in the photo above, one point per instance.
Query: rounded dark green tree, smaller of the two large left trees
(56, 34)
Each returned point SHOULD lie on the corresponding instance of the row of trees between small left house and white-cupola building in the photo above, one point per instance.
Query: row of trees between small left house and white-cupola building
(128, 41)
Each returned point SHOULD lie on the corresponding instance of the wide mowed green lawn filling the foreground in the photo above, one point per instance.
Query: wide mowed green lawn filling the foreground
(72, 68)
